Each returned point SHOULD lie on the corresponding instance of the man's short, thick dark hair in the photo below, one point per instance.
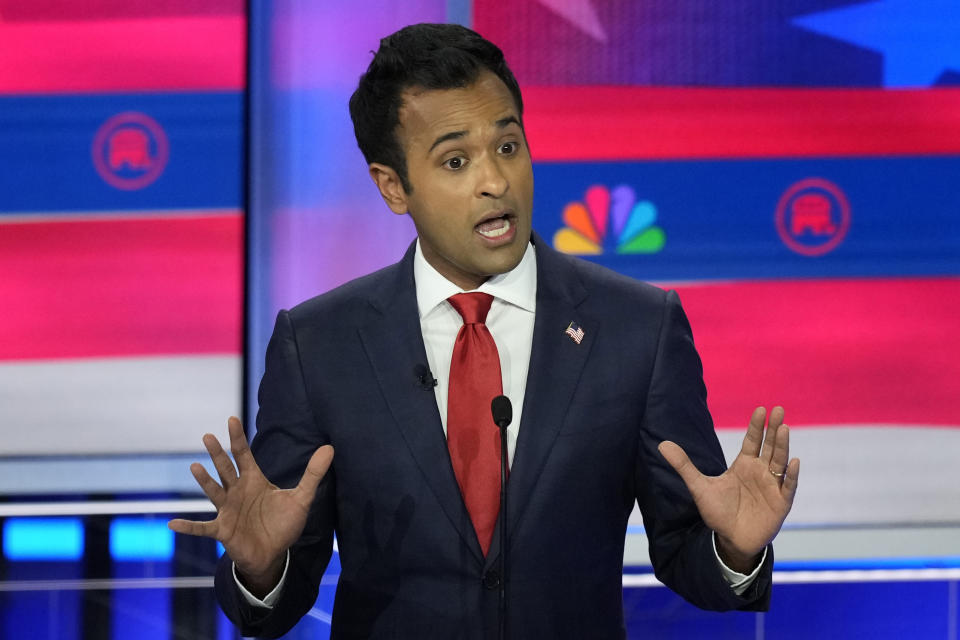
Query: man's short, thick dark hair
(428, 56)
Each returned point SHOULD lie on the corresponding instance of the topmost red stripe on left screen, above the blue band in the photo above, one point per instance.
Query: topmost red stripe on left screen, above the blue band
(159, 53)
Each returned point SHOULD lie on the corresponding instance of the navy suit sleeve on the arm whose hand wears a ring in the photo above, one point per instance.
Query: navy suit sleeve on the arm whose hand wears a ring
(681, 547)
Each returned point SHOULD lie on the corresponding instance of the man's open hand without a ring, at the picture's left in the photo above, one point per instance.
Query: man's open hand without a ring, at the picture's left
(256, 521)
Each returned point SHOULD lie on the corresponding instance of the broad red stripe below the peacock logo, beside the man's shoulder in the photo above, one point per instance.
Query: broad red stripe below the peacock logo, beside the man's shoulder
(830, 351)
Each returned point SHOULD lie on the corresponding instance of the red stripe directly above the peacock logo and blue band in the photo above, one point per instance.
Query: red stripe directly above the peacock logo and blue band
(622, 123)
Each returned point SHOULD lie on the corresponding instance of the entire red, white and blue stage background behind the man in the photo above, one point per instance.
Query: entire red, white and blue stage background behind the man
(174, 172)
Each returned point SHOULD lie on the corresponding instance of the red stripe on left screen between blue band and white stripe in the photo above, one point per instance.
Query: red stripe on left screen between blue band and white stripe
(121, 287)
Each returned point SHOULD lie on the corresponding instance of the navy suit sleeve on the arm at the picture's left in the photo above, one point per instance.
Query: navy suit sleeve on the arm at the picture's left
(287, 435)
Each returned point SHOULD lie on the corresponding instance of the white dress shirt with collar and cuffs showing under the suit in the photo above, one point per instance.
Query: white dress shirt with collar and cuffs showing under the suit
(510, 321)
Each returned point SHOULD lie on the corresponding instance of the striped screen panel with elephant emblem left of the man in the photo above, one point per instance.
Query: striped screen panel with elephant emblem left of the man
(121, 240)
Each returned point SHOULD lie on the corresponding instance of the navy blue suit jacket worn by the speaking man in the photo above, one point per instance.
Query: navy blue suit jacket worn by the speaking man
(341, 369)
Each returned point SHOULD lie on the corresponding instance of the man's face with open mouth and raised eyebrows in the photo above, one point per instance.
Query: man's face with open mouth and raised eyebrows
(472, 182)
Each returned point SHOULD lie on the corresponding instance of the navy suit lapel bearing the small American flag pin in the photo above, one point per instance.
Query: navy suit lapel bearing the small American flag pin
(556, 362)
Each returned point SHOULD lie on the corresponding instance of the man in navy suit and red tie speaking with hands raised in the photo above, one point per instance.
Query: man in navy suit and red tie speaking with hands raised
(606, 387)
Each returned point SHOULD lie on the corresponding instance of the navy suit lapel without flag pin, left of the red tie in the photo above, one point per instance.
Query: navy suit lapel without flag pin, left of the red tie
(393, 342)
